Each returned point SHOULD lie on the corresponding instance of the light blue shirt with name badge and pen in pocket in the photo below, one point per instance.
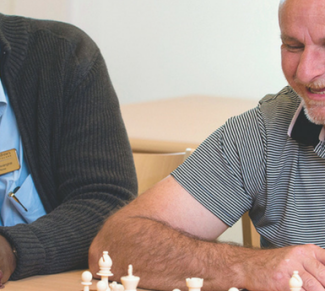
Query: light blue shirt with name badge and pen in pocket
(11, 213)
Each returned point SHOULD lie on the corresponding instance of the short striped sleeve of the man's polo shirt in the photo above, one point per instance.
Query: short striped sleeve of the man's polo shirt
(227, 170)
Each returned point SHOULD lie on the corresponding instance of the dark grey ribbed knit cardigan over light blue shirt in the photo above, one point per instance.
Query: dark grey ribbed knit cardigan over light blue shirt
(73, 137)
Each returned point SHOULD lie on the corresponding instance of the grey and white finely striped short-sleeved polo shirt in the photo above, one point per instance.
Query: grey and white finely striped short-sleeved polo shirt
(252, 164)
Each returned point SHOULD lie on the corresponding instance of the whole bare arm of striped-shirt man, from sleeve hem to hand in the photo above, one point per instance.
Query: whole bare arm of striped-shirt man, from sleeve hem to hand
(164, 257)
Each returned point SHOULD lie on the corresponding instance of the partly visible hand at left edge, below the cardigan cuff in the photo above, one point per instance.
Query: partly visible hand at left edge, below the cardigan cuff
(7, 260)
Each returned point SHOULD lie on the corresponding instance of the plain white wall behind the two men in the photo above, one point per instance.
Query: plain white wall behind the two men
(160, 49)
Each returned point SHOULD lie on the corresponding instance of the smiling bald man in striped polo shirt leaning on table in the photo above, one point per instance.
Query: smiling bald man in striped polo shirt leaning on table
(269, 161)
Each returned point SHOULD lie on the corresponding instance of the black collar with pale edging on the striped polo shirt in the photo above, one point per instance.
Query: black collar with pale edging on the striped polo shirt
(304, 131)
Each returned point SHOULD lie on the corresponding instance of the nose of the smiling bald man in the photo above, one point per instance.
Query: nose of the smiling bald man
(311, 65)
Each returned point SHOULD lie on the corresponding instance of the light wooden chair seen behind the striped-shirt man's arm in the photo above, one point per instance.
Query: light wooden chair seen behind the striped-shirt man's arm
(153, 167)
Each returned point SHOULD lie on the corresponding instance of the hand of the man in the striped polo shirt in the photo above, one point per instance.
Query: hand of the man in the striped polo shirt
(272, 269)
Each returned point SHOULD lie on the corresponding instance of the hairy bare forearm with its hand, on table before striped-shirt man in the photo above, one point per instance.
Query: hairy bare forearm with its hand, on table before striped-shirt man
(164, 258)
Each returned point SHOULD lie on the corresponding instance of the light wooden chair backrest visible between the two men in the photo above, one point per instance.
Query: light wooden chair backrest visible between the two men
(153, 167)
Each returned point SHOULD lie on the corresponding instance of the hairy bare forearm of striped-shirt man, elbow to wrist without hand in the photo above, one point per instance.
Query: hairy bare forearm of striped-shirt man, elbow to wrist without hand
(164, 257)
